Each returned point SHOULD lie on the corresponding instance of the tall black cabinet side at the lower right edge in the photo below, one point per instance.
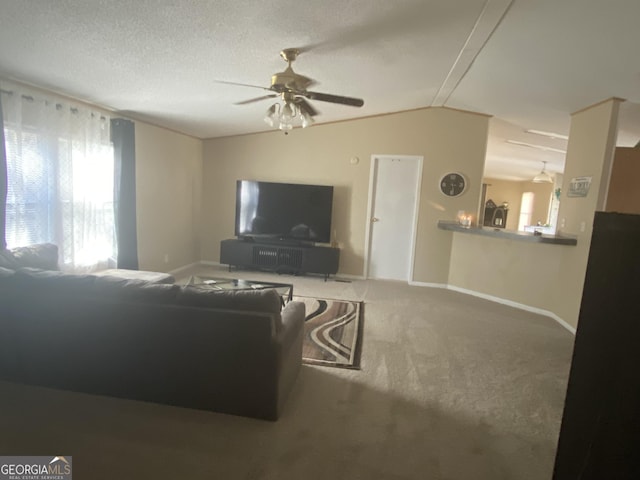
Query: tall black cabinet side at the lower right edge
(600, 430)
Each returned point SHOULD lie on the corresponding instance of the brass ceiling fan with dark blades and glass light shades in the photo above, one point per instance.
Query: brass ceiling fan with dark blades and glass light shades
(292, 87)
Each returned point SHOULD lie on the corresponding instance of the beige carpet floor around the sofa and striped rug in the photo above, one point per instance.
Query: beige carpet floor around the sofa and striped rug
(451, 387)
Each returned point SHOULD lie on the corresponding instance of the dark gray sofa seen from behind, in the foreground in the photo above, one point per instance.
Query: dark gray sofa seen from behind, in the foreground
(236, 353)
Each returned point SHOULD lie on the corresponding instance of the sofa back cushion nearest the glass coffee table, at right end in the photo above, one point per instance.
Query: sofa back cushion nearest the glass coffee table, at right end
(267, 301)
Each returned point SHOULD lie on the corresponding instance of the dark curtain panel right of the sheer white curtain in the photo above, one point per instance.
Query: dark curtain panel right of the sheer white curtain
(124, 195)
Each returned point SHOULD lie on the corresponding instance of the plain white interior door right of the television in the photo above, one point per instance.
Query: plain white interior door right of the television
(393, 216)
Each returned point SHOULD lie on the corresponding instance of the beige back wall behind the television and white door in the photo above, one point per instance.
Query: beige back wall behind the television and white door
(449, 140)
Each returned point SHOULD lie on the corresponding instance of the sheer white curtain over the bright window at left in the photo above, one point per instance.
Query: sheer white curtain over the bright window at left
(60, 177)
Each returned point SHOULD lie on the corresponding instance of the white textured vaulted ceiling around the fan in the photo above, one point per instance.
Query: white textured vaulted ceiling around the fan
(528, 63)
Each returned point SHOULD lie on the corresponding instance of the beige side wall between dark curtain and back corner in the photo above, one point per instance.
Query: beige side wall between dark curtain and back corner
(168, 183)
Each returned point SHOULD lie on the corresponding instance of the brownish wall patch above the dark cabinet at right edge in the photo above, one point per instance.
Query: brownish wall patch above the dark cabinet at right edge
(624, 192)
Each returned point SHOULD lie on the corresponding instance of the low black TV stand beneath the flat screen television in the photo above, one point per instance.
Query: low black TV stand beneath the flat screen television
(279, 257)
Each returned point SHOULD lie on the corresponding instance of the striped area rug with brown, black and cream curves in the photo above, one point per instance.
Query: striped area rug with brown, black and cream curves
(333, 332)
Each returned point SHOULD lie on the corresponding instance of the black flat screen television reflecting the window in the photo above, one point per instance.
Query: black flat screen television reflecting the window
(283, 211)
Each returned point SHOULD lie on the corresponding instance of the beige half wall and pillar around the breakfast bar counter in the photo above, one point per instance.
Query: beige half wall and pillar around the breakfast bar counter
(546, 277)
